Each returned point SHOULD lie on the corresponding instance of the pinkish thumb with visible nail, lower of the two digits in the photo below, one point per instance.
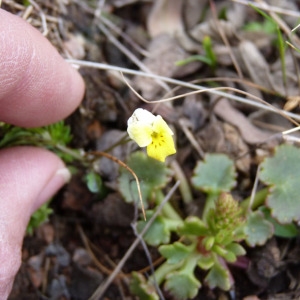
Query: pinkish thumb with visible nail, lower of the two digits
(28, 177)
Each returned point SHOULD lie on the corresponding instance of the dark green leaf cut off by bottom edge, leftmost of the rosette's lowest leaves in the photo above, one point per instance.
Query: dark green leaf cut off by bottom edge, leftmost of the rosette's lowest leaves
(142, 288)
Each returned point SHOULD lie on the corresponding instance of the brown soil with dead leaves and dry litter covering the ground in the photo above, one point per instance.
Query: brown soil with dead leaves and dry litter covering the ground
(87, 235)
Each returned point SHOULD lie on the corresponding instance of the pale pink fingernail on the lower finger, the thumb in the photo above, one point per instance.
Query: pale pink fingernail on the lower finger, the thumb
(60, 178)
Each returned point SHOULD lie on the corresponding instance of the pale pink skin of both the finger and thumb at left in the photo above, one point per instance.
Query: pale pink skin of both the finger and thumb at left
(37, 87)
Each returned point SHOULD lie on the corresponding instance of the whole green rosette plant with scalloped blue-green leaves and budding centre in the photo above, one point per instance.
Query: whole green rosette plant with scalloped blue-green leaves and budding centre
(214, 240)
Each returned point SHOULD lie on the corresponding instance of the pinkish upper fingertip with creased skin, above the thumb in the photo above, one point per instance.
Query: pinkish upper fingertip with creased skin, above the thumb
(37, 87)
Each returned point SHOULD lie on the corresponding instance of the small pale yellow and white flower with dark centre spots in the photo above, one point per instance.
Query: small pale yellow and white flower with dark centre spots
(152, 132)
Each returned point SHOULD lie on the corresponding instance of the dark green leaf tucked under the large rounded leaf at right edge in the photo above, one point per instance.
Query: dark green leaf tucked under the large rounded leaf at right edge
(281, 230)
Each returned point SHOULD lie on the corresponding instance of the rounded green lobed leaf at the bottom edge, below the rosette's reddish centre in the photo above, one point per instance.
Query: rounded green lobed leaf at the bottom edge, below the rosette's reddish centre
(182, 285)
